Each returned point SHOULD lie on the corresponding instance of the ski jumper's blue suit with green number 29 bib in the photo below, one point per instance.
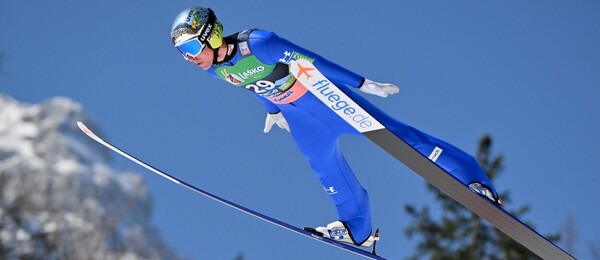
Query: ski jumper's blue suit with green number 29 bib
(258, 61)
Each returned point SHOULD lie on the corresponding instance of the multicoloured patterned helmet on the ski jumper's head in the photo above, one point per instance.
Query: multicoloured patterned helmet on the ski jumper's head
(197, 22)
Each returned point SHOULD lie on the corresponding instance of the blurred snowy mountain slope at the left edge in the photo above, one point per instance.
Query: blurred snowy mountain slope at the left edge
(60, 197)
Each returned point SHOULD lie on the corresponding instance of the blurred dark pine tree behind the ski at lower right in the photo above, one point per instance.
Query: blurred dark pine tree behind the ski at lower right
(460, 234)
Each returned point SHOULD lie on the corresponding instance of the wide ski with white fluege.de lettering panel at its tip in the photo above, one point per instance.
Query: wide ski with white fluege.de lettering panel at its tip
(317, 84)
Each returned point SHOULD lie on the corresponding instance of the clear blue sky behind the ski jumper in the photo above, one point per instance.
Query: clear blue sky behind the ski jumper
(525, 72)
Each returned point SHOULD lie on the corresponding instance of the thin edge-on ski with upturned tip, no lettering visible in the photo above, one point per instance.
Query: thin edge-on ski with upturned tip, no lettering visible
(241, 208)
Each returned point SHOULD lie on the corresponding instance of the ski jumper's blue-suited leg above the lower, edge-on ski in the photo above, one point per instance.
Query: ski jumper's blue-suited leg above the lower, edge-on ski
(319, 142)
